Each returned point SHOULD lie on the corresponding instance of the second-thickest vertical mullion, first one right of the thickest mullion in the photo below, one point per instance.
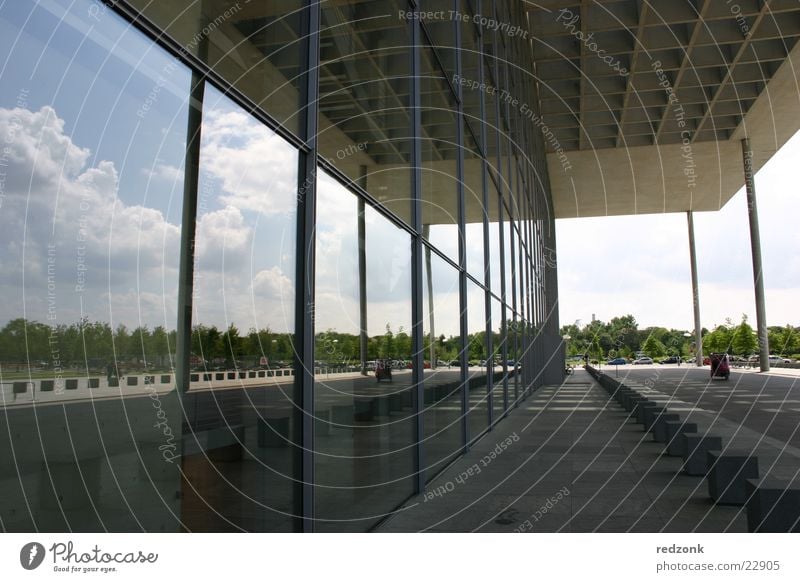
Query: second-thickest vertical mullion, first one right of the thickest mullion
(417, 331)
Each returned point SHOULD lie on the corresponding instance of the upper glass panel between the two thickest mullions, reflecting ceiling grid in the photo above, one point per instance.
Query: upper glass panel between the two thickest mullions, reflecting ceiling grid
(365, 120)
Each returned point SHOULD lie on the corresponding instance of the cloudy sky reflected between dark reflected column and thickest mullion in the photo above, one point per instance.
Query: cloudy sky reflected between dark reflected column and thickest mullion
(246, 221)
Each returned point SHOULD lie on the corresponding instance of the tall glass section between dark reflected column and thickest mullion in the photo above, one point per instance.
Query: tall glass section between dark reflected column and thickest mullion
(241, 382)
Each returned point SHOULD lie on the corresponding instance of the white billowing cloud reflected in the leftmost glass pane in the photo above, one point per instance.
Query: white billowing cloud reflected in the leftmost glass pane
(63, 223)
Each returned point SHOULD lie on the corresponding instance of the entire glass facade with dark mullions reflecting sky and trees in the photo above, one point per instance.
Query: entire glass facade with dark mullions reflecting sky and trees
(266, 266)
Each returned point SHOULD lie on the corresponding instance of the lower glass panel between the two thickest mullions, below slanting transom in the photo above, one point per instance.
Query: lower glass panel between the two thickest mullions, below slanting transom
(365, 424)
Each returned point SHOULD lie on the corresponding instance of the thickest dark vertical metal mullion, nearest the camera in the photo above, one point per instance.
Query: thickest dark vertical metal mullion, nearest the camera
(303, 432)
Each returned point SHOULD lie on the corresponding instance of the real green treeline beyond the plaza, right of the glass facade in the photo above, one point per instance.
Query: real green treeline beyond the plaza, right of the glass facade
(621, 337)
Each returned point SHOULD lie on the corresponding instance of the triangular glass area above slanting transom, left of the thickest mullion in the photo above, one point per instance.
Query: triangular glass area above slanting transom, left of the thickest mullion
(255, 46)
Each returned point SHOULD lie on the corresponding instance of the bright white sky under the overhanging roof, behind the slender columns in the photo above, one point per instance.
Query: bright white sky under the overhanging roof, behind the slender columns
(639, 265)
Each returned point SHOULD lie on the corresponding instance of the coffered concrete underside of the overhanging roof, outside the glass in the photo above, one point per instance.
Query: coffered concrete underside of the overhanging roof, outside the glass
(644, 102)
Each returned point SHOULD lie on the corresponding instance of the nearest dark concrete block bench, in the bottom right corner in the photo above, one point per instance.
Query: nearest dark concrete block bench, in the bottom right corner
(773, 505)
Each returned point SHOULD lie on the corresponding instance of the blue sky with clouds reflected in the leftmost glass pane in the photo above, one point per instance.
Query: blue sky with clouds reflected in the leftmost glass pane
(95, 146)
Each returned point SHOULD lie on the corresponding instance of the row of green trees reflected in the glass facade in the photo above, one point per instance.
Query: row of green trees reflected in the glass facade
(32, 344)
